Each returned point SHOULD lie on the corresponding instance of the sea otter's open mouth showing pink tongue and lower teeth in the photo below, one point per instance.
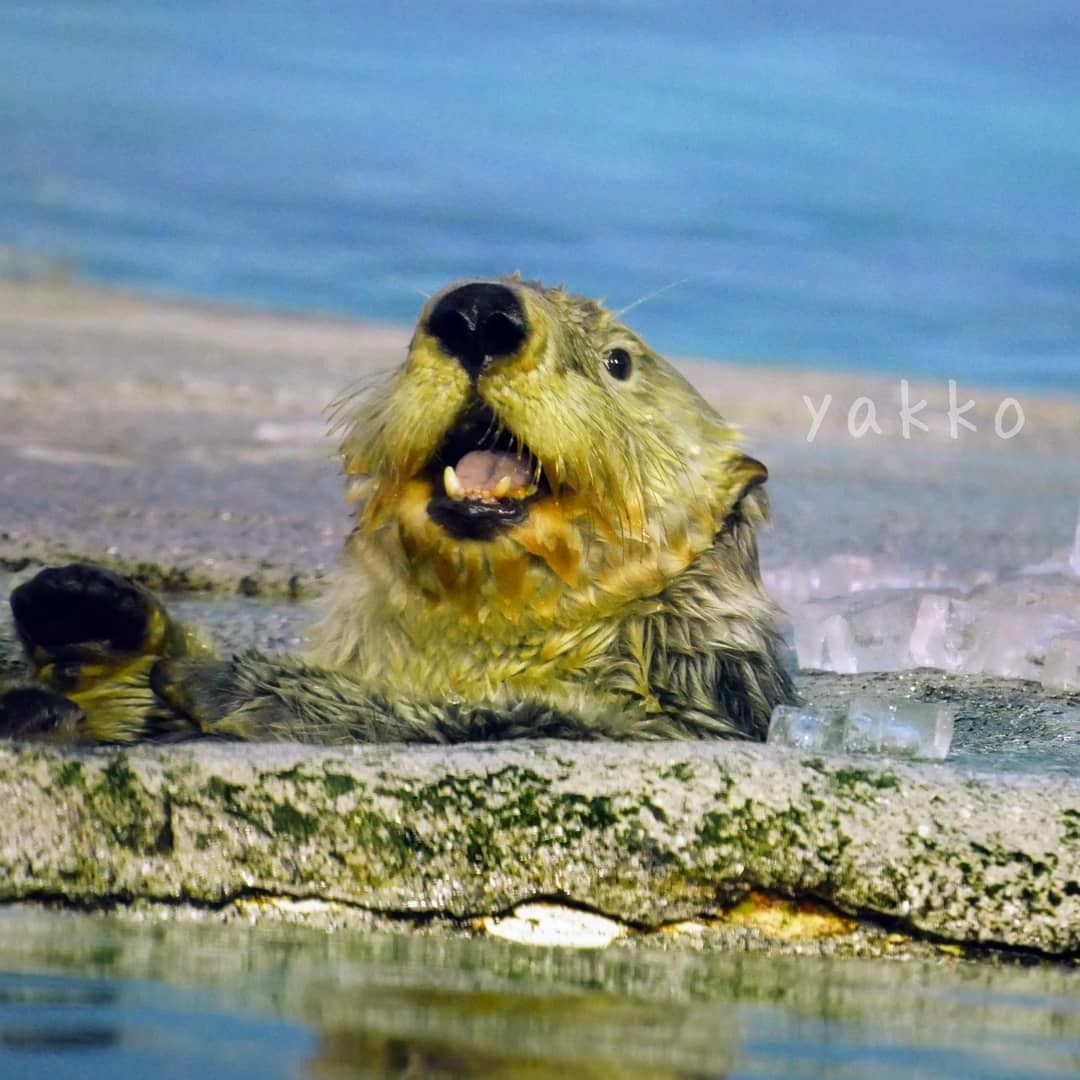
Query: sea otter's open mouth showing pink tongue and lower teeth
(484, 478)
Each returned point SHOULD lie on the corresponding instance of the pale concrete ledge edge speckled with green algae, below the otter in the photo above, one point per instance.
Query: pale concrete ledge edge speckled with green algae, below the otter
(650, 835)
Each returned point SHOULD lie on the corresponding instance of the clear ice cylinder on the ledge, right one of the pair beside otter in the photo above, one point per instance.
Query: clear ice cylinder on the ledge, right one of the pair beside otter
(912, 730)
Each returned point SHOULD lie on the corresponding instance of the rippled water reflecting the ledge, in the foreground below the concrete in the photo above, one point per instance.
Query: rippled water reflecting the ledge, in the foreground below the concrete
(91, 997)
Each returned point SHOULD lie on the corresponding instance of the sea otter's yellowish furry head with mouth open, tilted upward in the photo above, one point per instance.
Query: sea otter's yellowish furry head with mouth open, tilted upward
(533, 460)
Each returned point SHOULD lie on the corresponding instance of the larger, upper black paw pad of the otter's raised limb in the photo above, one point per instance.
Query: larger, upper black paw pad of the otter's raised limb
(86, 613)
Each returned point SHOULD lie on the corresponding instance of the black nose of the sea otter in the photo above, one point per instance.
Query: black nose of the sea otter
(479, 323)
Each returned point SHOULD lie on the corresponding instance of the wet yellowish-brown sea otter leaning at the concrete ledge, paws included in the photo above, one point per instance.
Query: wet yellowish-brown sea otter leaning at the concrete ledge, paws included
(555, 536)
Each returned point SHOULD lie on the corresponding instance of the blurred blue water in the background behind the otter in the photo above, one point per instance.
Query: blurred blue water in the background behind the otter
(887, 185)
